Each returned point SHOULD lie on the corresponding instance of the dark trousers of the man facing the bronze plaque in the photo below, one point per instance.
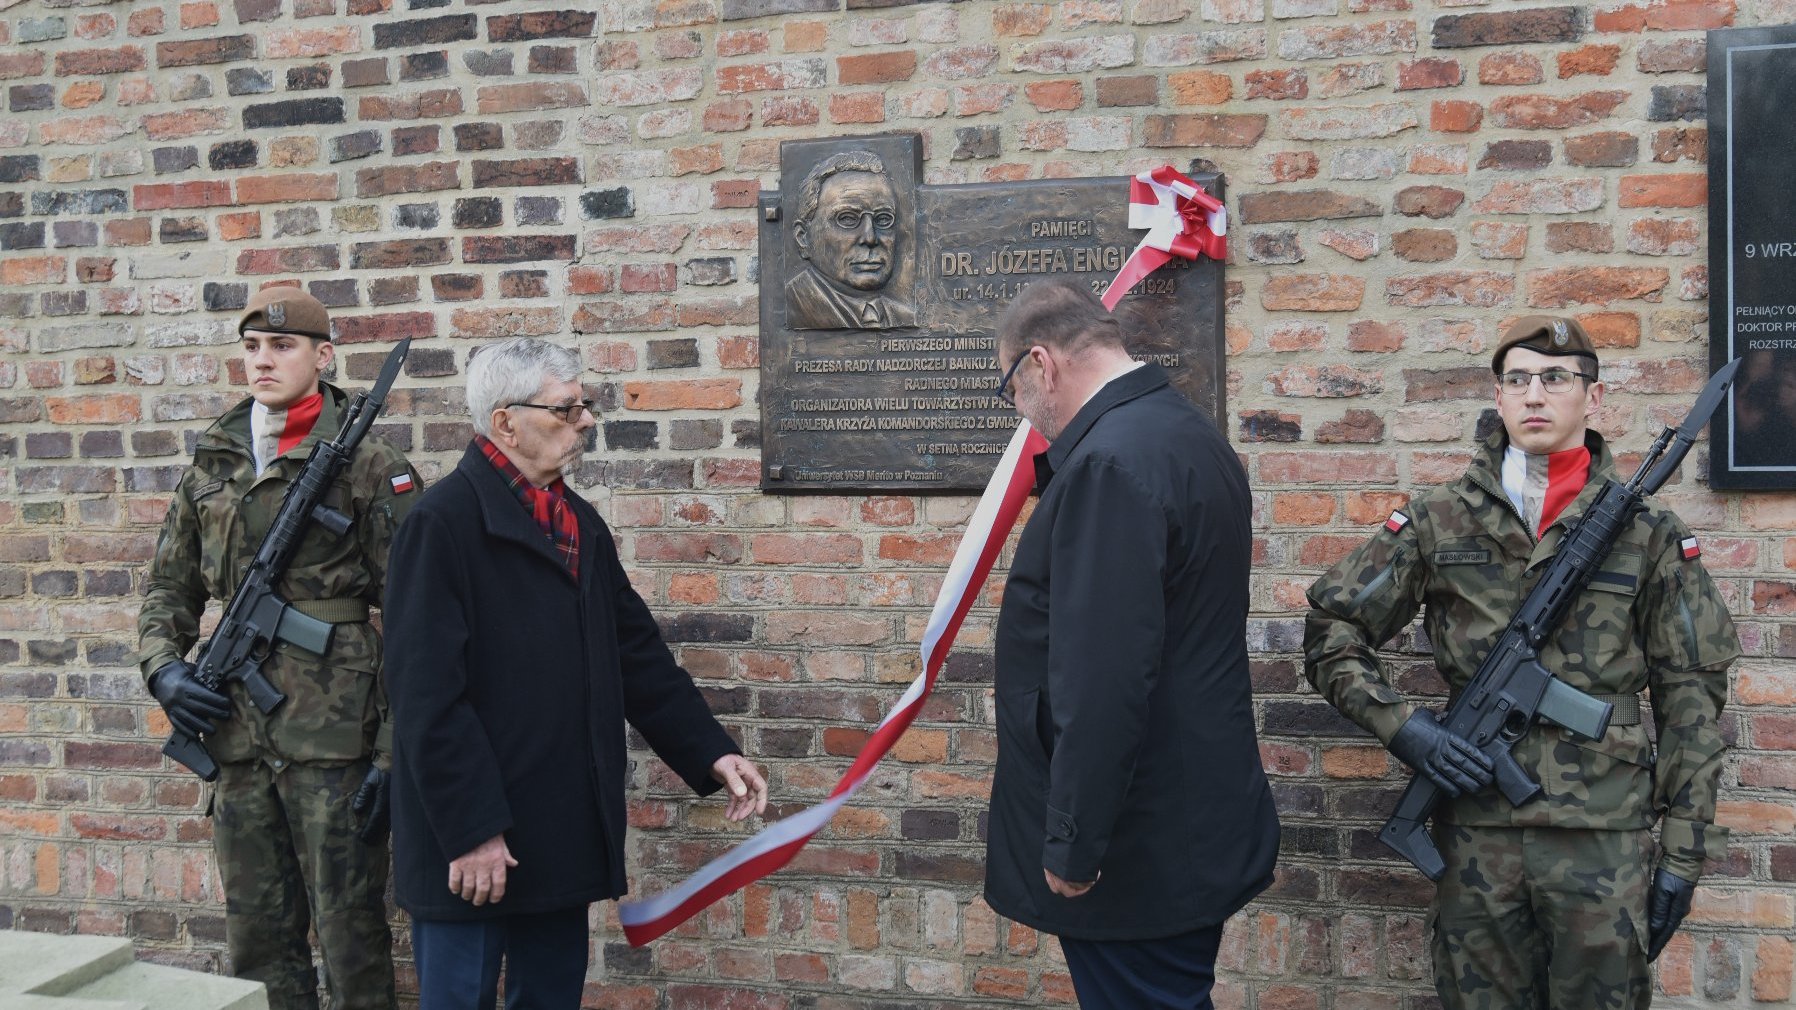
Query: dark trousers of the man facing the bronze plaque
(1172, 973)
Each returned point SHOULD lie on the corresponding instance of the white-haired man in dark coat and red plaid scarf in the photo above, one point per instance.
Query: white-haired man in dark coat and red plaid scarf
(516, 653)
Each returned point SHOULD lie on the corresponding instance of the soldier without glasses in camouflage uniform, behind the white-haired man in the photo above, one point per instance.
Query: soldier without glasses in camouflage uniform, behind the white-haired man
(301, 801)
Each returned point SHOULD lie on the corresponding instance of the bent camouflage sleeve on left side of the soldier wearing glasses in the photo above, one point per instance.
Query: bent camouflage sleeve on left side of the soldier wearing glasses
(1357, 607)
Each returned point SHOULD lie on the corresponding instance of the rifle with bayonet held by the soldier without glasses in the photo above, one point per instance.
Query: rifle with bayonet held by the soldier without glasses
(256, 616)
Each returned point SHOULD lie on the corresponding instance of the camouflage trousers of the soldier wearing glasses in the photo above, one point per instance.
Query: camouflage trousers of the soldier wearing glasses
(1542, 919)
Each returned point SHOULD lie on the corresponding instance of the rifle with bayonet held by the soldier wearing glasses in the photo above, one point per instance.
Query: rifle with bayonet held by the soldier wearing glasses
(1511, 687)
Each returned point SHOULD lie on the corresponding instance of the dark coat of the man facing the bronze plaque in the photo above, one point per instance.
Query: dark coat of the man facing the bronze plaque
(1125, 709)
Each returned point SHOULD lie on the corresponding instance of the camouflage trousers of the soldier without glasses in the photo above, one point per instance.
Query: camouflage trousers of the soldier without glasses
(292, 864)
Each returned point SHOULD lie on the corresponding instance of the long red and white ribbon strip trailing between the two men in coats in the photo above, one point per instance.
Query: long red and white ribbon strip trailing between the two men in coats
(775, 846)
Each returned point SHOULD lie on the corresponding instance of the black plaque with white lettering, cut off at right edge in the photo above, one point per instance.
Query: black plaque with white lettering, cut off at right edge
(1752, 254)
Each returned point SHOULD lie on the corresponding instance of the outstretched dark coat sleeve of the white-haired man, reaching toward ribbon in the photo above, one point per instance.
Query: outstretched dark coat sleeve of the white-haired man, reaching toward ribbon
(660, 698)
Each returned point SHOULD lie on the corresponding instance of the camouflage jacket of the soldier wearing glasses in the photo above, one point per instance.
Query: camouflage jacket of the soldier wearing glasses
(1650, 619)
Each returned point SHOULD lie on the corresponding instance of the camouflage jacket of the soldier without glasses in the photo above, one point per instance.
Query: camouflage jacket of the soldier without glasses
(337, 705)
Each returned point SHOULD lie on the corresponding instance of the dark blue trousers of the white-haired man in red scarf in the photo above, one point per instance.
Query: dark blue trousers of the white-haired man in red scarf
(545, 962)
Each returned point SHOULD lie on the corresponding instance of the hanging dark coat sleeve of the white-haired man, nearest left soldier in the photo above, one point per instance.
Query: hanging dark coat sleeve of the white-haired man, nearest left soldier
(445, 745)
